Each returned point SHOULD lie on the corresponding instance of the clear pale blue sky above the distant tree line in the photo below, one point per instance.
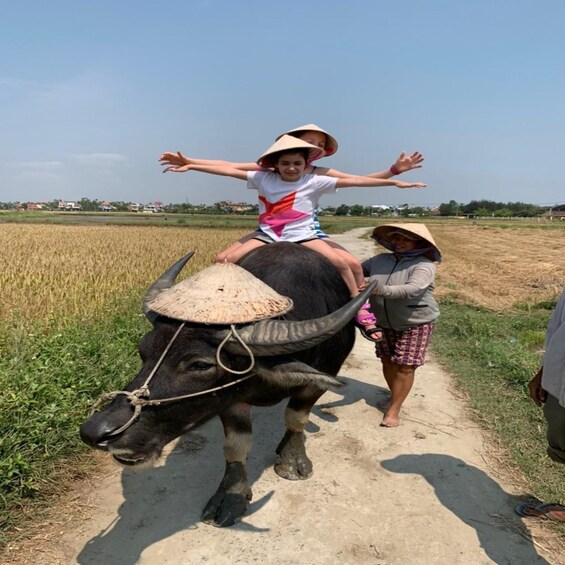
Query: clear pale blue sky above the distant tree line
(91, 93)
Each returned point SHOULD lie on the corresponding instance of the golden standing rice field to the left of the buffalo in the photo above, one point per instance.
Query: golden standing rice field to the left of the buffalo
(67, 271)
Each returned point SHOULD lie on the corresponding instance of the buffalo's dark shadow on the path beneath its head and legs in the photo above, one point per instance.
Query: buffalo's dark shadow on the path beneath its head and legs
(162, 501)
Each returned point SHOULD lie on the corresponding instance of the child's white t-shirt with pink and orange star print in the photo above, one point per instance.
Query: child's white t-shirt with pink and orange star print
(286, 209)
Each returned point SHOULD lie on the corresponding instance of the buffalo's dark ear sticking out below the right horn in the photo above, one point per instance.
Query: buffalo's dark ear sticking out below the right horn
(286, 373)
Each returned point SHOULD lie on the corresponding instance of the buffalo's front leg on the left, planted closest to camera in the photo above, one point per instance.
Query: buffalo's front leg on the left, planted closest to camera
(230, 501)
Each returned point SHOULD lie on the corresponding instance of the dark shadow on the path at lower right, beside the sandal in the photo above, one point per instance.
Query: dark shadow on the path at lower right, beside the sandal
(477, 500)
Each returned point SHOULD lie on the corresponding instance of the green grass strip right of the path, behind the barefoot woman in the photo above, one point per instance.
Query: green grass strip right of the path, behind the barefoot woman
(492, 357)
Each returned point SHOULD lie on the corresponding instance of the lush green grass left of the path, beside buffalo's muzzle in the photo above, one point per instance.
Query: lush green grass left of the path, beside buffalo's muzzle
(48, 381)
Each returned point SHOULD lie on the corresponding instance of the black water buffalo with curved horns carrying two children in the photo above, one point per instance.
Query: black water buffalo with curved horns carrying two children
(297, 357)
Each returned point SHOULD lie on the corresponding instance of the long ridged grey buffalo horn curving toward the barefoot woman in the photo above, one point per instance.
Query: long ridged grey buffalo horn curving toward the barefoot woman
(277, 337)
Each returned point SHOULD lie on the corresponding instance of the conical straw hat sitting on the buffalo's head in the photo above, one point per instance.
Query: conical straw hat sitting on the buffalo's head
(221, 294)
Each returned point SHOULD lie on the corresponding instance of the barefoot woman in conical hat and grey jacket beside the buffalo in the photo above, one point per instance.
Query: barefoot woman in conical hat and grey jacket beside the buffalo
(404, 305)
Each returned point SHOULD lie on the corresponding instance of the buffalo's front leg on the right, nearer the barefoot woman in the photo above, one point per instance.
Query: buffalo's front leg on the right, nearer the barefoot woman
(292, 462)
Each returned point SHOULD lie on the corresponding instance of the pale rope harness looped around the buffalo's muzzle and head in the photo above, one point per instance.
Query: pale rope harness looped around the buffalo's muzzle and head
(140, 396)
